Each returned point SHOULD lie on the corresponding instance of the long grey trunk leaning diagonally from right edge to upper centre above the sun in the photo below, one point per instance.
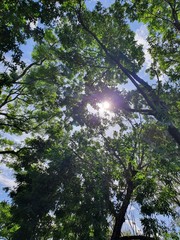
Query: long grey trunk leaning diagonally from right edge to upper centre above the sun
(152, 99)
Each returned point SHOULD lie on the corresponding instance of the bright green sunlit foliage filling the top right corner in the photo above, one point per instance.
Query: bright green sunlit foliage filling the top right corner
(163, 21)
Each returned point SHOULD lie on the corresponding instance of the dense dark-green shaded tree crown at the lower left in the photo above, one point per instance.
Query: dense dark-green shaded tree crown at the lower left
(50, 181)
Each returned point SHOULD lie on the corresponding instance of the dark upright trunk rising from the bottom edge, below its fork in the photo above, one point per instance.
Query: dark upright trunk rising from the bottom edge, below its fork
(120, 218)
